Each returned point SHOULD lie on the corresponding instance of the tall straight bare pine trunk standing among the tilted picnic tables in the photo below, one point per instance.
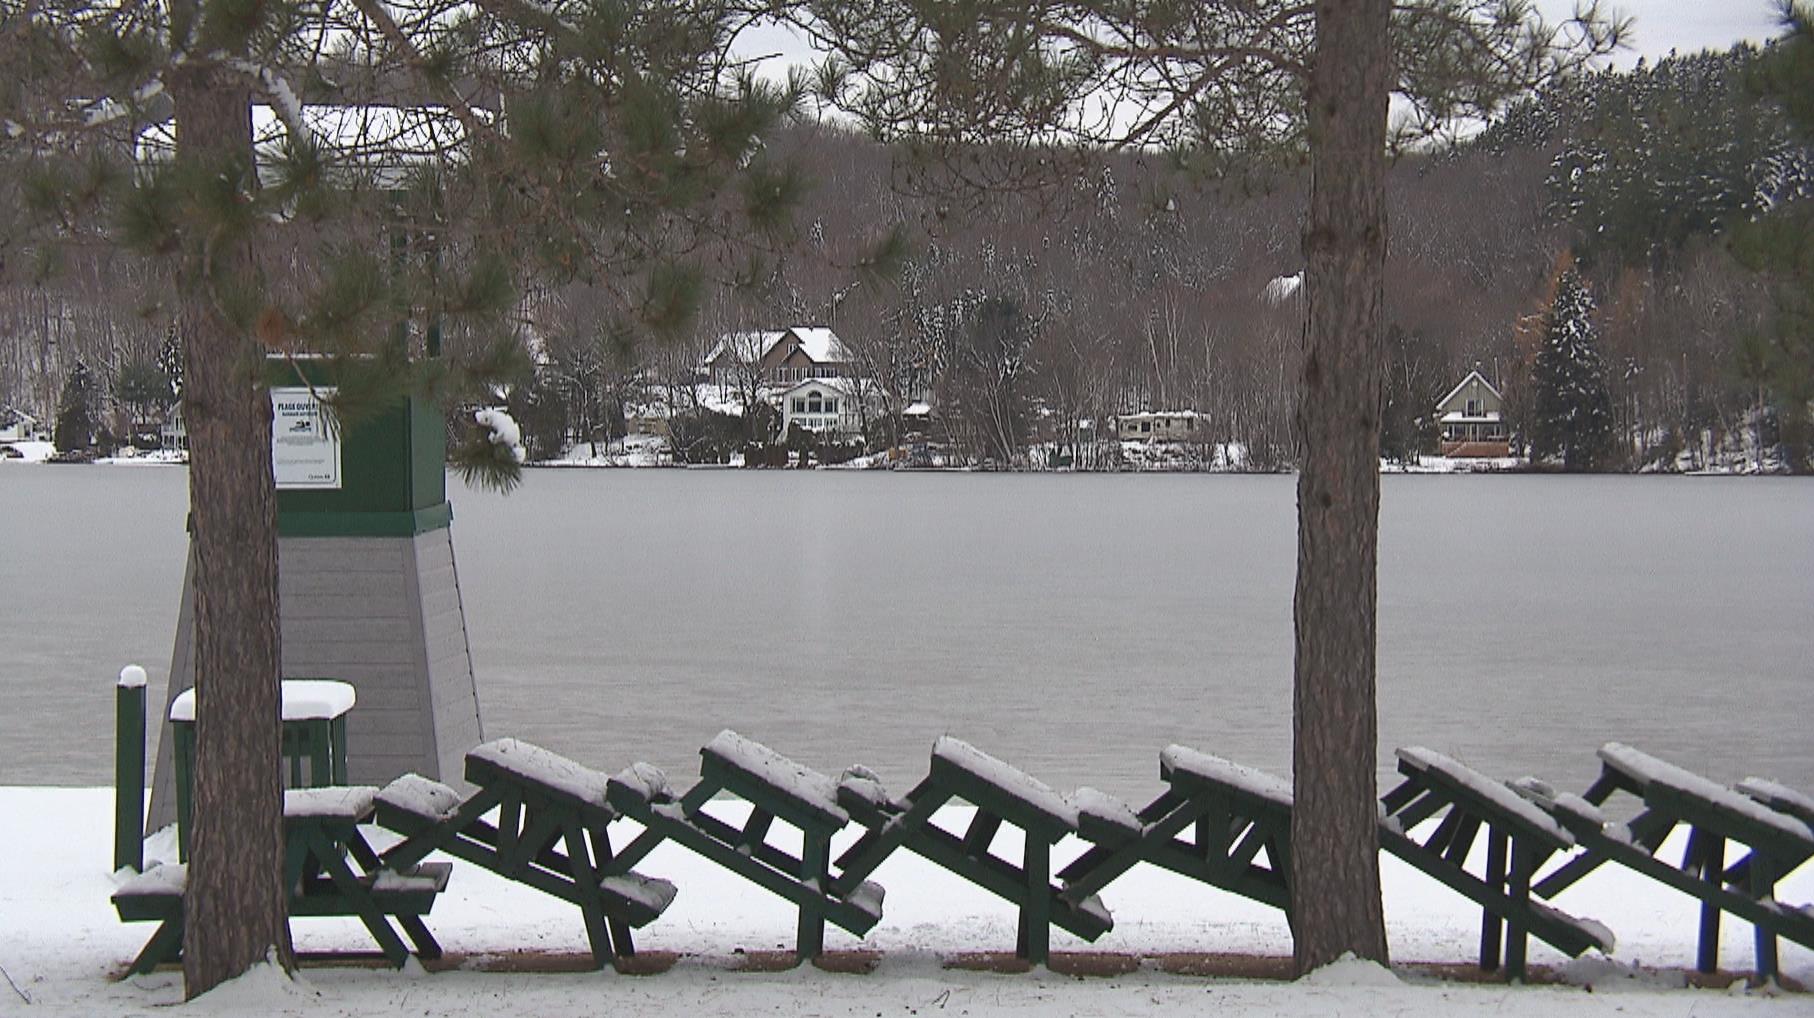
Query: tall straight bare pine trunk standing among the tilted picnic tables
(1334, 827)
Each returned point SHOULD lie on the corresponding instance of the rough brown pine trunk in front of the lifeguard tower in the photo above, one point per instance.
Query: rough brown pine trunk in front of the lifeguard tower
(235, 903)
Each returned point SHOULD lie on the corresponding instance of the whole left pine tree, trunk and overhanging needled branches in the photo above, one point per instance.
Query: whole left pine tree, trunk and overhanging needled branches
(482, 148)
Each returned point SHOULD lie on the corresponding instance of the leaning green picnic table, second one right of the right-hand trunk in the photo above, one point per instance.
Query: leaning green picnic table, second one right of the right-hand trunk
(1770, 821)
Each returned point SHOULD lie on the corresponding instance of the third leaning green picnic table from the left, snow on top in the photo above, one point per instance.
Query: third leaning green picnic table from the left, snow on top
(1000, 796)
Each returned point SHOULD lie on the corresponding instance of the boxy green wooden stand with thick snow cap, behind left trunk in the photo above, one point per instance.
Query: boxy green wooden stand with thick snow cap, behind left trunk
(313, 745)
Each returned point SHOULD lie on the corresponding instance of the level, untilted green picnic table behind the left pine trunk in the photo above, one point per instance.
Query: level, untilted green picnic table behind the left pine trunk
(329, 870)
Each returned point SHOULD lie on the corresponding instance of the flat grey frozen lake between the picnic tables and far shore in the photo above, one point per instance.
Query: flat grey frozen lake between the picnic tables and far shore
(1073, 625)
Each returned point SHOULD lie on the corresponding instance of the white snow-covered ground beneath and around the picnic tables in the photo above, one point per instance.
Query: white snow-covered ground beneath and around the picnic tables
(63, 950)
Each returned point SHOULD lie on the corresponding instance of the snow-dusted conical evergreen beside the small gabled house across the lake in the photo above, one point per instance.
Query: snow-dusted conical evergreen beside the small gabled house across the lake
(1574, 413)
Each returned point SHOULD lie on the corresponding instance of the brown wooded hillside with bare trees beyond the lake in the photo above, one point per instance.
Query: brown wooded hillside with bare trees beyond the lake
(1136, 284)
